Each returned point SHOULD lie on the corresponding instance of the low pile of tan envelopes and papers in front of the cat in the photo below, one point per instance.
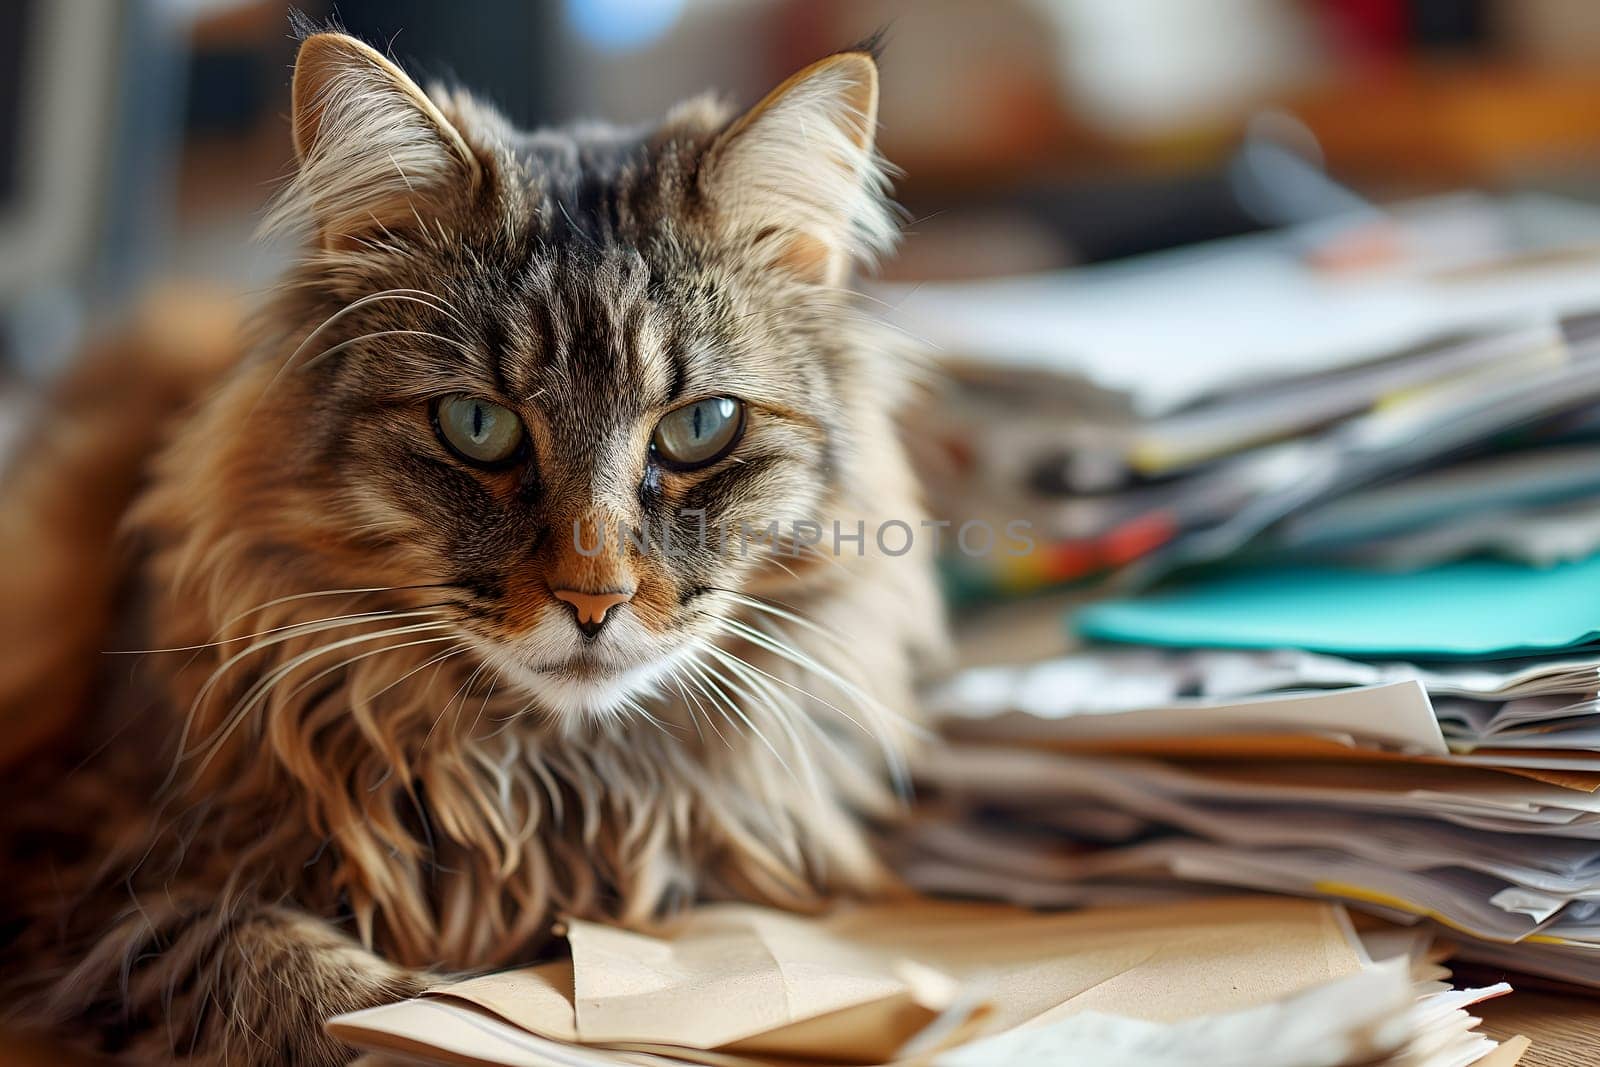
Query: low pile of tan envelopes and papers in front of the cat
(1233, 983)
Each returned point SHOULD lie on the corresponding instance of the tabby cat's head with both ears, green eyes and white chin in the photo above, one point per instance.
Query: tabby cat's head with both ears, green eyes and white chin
(554, 378)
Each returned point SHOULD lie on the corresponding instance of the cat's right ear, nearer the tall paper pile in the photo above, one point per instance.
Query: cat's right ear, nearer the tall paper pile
(799, 174)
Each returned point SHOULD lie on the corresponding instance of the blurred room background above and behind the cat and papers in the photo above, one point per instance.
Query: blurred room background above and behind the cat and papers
(138, 140)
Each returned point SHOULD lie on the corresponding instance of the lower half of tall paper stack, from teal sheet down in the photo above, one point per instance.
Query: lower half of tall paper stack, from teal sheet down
(1422, 745)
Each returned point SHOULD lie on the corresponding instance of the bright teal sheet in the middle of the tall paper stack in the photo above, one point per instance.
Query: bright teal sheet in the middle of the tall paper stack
(1481, 609)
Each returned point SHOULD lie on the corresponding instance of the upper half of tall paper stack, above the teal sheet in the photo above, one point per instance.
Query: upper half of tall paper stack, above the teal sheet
(1239, 398)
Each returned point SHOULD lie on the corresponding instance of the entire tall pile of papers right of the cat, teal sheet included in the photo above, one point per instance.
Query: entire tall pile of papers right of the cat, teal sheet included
(1350, 641)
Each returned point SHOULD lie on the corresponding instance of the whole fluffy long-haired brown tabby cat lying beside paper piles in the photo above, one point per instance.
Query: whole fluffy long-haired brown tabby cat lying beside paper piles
(393, 713)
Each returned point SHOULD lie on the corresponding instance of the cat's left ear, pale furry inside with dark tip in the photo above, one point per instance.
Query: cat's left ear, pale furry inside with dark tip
(374, 150)
